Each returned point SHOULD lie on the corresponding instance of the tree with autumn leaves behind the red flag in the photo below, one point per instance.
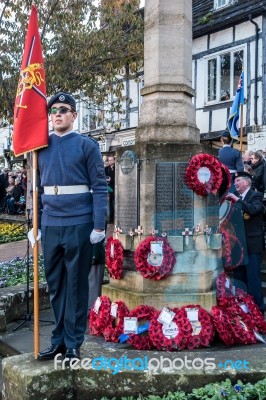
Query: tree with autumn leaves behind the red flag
(88, 48)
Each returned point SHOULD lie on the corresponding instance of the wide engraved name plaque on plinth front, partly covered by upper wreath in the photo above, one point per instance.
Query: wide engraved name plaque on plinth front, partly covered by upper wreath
(174, 200)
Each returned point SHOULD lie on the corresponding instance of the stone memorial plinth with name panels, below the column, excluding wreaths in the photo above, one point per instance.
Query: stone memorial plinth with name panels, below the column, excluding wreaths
(169, 207)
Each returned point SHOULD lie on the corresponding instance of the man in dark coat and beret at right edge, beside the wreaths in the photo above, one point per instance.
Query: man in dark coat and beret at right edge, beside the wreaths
(252, 209)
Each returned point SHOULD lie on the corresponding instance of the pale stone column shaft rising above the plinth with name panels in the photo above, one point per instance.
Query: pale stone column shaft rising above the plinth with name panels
(167, 112)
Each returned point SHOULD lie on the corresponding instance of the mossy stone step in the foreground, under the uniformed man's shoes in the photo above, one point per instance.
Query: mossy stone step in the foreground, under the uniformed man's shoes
(27, 379)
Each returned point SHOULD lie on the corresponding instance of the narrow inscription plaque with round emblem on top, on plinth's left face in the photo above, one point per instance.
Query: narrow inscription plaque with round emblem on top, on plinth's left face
(127, 193)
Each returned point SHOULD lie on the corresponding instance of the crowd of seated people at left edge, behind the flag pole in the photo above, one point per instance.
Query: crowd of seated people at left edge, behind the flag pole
(13, 191)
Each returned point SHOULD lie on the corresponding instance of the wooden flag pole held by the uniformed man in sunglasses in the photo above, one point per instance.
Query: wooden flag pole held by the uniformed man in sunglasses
(35, 255)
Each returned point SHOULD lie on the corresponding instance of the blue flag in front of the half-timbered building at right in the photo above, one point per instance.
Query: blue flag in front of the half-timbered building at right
(235, 109)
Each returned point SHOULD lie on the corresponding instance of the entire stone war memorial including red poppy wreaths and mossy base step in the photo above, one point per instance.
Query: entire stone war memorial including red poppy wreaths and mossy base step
(164, 256)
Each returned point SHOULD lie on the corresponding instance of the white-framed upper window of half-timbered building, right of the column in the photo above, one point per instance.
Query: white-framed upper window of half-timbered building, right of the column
(223, 74)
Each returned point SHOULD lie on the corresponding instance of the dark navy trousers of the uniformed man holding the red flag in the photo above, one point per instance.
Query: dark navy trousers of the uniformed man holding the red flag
(67, 255)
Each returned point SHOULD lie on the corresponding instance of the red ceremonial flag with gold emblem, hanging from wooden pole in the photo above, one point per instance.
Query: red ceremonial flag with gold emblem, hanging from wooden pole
(30, 110)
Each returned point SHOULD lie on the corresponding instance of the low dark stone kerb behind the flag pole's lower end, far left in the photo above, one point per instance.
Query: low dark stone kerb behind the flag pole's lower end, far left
(13, 302)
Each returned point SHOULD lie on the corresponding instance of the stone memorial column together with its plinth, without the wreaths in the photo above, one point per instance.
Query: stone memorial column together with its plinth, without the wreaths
(167, 136)
